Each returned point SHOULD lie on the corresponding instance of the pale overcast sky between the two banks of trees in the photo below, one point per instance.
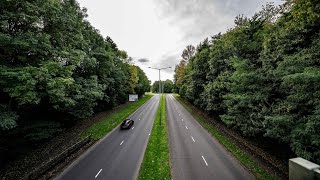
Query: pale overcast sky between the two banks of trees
(159, 30)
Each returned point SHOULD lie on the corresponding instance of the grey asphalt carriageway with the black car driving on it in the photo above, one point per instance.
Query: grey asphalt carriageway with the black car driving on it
(118, 155)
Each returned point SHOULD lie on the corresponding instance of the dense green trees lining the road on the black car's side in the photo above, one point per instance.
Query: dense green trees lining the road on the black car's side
(56, 68)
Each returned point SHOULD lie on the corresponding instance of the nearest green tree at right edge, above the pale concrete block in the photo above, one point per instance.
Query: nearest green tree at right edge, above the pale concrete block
(293, 47)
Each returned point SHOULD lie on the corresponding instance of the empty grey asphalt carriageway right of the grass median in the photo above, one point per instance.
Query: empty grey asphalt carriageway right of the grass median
(194, 153)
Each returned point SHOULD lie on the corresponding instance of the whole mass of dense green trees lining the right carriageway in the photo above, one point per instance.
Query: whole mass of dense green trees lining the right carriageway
(262, 77)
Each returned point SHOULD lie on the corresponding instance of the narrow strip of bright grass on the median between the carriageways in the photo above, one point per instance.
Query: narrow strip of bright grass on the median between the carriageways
(156, 162)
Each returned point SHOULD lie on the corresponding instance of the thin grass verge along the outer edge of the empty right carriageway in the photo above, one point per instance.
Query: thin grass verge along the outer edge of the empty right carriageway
(242, 156)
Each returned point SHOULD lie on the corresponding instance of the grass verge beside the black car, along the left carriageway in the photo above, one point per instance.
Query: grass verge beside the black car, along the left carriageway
(101, 128)
